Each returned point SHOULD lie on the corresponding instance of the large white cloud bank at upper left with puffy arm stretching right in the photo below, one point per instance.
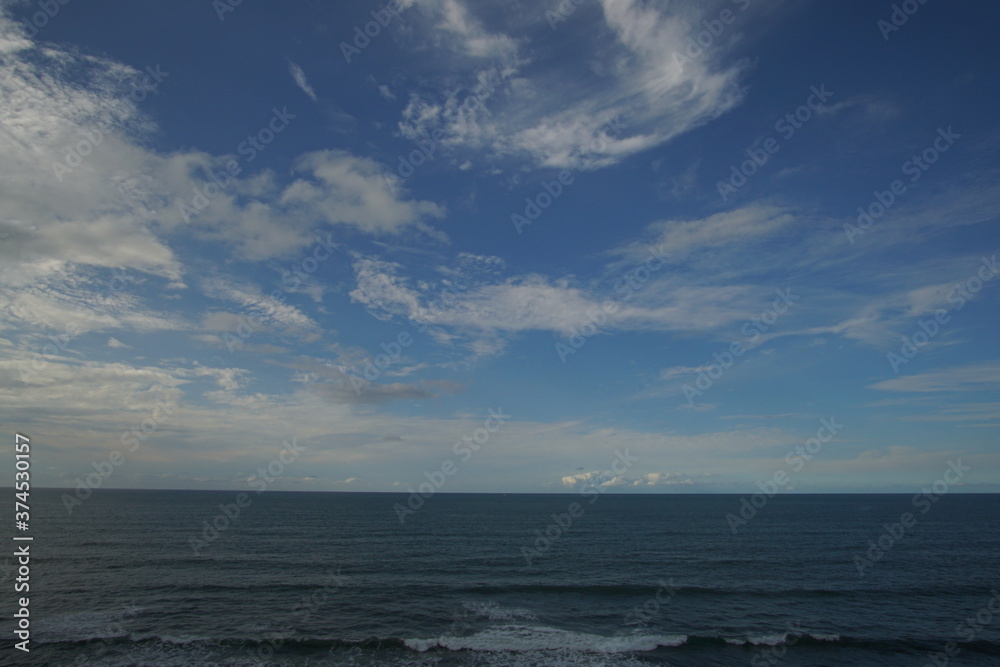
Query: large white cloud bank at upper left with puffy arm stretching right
(117, 205)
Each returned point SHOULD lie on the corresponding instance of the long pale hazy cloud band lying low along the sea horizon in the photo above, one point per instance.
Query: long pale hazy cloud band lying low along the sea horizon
(82, 408)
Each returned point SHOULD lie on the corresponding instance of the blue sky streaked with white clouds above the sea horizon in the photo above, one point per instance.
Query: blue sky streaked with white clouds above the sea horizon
(498, 246)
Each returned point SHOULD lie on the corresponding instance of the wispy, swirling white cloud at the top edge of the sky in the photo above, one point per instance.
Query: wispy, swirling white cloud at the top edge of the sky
(542, 113)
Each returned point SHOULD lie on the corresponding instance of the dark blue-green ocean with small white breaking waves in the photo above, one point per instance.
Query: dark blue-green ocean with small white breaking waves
(337, 579)
